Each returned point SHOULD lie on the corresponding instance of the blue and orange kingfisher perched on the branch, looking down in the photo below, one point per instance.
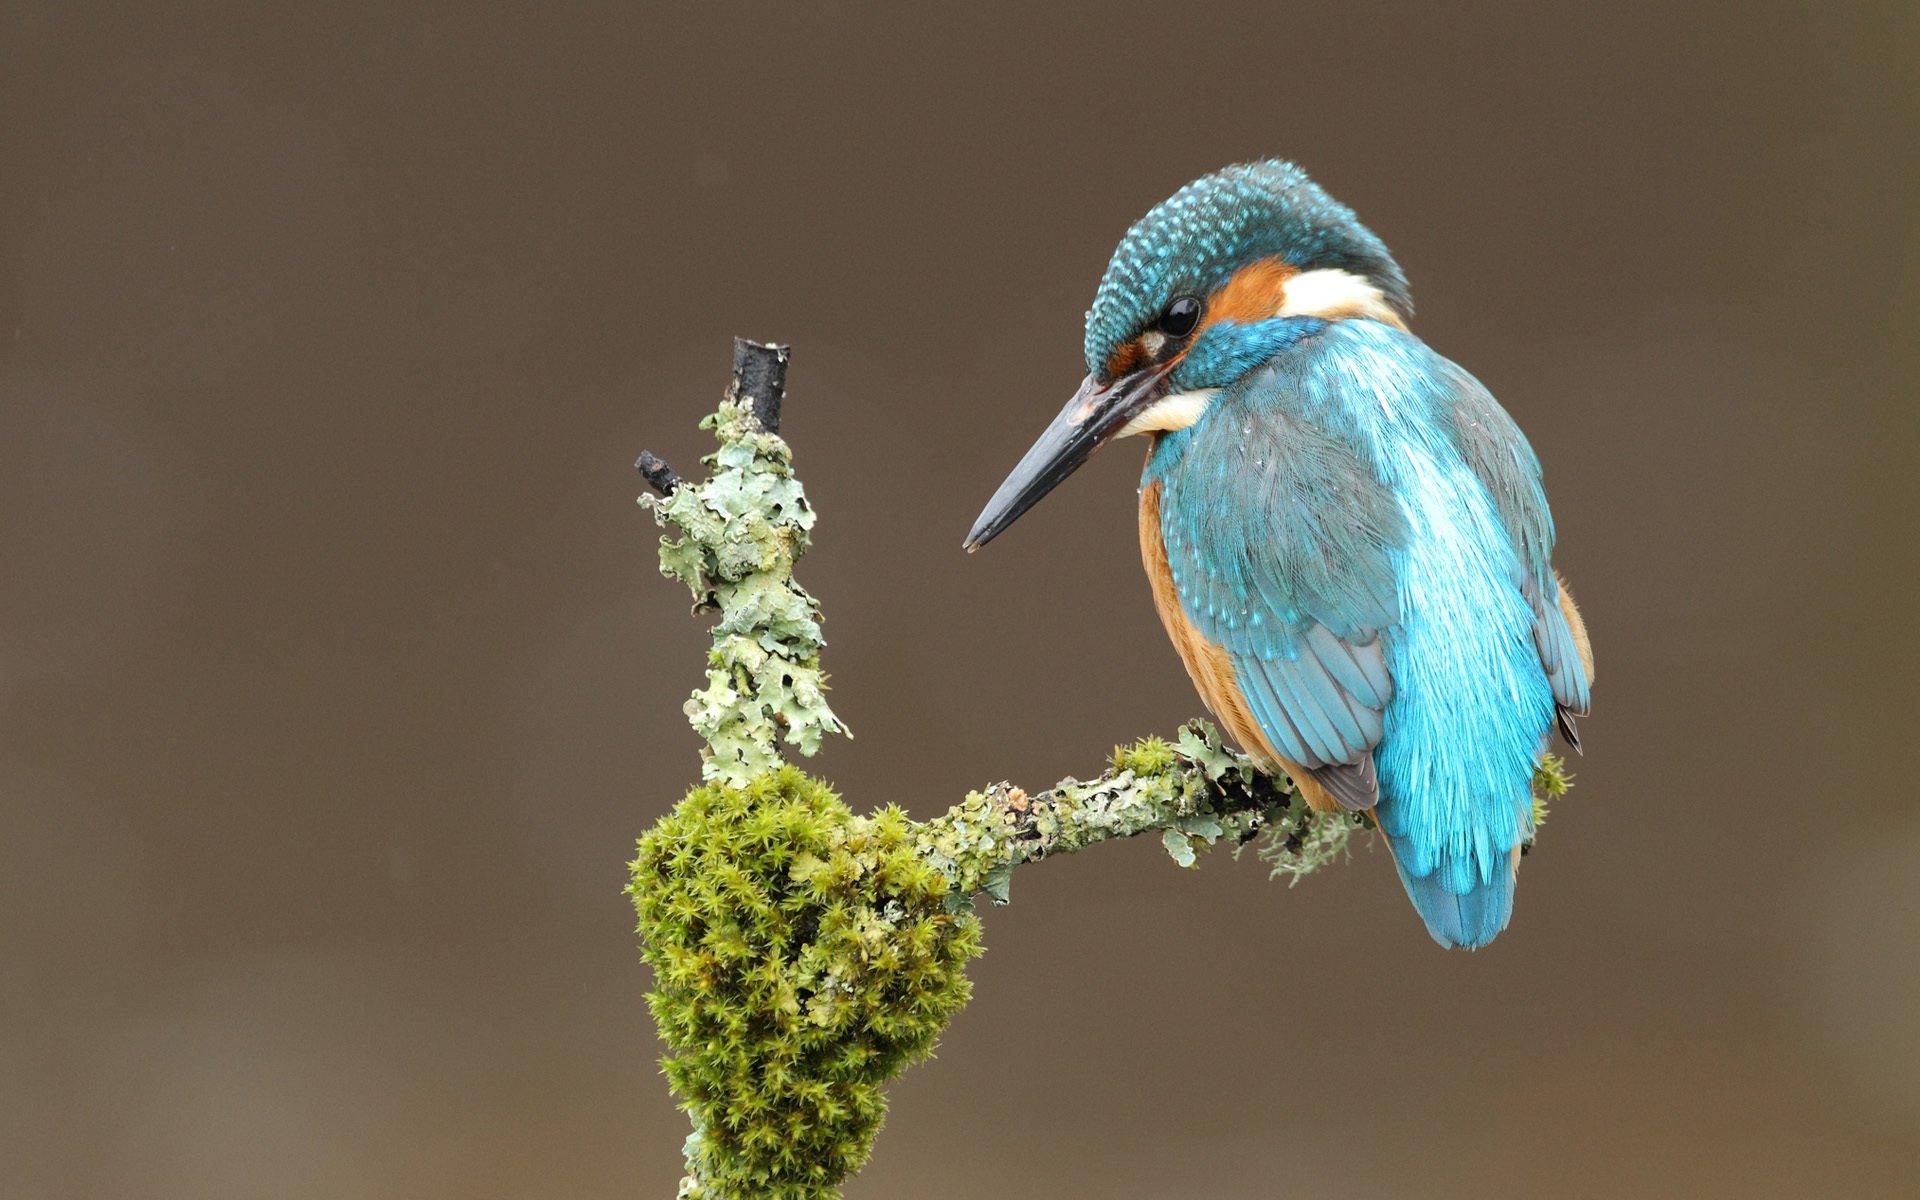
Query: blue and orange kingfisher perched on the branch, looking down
(1347, 537)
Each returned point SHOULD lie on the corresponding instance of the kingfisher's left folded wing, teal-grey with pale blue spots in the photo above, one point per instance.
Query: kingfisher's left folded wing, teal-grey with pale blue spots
(1282, 540)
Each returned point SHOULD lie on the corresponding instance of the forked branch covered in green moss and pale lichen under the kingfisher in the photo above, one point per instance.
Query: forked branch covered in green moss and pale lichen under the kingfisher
(804, 955)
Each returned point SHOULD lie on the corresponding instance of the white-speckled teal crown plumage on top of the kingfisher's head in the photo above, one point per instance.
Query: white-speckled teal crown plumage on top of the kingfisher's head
(1199, 237)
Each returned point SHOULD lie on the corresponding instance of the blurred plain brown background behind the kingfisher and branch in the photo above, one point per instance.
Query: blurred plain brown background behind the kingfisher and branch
(337, 679)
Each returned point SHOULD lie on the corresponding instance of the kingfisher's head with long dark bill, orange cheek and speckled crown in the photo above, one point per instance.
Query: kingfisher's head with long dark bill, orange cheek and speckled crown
(1214, 281)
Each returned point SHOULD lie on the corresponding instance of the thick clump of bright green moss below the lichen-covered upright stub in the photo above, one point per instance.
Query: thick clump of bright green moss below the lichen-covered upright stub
(802, 957)
